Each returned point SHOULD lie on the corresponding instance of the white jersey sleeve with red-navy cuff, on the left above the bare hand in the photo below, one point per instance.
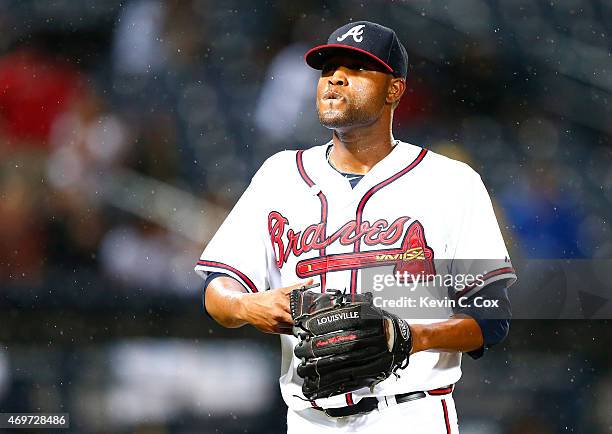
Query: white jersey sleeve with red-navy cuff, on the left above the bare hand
(240, 248)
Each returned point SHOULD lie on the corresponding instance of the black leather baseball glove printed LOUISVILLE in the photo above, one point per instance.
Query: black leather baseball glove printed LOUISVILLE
(345, 342)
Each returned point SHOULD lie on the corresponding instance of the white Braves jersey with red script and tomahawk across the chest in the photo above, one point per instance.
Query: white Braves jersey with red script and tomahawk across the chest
(300, 218)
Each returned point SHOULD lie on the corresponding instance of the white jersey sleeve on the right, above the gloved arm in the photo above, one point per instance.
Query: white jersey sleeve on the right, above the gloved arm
(480, 256)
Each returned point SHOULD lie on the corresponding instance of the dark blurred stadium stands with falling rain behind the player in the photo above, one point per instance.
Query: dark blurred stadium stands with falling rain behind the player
(129, 129)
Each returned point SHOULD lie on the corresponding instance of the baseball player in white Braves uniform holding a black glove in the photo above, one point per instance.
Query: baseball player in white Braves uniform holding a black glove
(323, 215)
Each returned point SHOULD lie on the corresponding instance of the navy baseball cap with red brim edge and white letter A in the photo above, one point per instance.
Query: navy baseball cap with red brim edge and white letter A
(373, 40)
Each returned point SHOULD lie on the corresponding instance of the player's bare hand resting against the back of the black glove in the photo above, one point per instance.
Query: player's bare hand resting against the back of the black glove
(269, 311)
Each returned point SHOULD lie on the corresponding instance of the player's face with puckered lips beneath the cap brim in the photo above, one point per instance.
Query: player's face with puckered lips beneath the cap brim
(352, 91)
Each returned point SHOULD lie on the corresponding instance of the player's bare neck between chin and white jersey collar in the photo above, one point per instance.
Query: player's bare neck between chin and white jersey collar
(358, 150)
